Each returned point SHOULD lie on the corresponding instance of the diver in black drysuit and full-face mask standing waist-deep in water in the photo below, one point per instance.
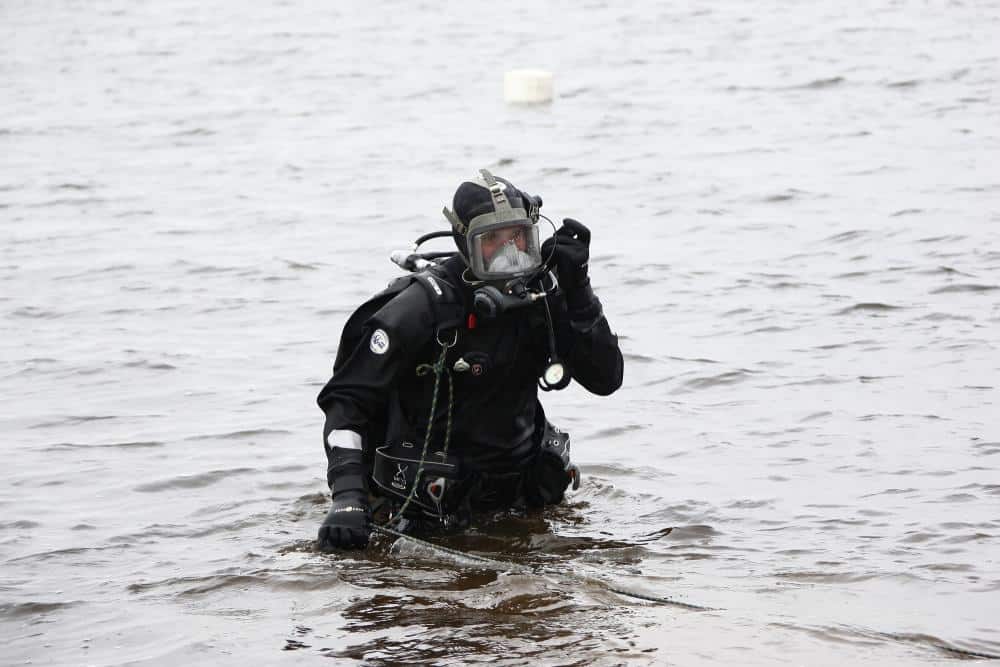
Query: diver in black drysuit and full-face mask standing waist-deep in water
(432, 413)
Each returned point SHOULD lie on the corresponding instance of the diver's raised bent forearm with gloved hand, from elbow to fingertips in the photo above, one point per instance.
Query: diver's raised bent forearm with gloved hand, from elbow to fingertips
(590, 347)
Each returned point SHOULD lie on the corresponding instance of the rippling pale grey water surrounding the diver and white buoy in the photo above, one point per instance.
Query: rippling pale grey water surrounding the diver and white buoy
(795, 210)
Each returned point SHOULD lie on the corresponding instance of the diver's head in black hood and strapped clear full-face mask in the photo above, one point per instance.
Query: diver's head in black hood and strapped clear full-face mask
(494, 226)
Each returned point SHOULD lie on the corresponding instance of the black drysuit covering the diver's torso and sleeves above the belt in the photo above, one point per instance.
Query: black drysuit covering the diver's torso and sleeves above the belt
(377, 392)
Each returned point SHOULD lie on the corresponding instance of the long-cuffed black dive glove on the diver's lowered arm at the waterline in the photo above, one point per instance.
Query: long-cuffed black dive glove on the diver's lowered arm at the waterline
(348, 523)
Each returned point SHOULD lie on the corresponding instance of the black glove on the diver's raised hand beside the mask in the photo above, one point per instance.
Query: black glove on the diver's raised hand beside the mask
(570, 249)
